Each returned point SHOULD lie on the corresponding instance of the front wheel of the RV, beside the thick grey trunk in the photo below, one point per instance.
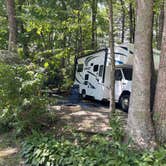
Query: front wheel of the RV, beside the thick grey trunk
(124, 102)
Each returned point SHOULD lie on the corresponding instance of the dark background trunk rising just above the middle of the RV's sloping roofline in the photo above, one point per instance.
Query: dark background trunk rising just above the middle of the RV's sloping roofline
(94, 24)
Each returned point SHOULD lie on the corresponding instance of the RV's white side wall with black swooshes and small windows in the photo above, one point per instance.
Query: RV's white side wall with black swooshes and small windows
(90, 74)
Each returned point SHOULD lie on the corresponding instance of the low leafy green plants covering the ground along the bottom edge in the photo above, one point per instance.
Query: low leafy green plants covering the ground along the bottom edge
(39, 150)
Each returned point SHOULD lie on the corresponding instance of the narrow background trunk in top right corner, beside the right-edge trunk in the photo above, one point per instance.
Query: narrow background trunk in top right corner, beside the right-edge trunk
(161, 24)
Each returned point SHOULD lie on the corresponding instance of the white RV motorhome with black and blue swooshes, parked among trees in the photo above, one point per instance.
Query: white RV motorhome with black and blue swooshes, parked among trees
(93, 74)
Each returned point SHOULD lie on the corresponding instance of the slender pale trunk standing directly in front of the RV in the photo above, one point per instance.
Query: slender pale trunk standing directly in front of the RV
(112, 69)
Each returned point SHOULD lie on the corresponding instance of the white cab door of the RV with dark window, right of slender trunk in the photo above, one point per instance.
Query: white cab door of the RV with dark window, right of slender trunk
(118, 84)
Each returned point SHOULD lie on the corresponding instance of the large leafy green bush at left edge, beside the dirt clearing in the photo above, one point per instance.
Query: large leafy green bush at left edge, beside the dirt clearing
(21, 102)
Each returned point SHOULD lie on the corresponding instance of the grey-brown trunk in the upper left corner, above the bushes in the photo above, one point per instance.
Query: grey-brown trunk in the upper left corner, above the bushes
(12, 25)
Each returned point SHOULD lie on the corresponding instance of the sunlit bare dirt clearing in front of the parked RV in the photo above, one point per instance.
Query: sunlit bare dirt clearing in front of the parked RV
(92, 116)
